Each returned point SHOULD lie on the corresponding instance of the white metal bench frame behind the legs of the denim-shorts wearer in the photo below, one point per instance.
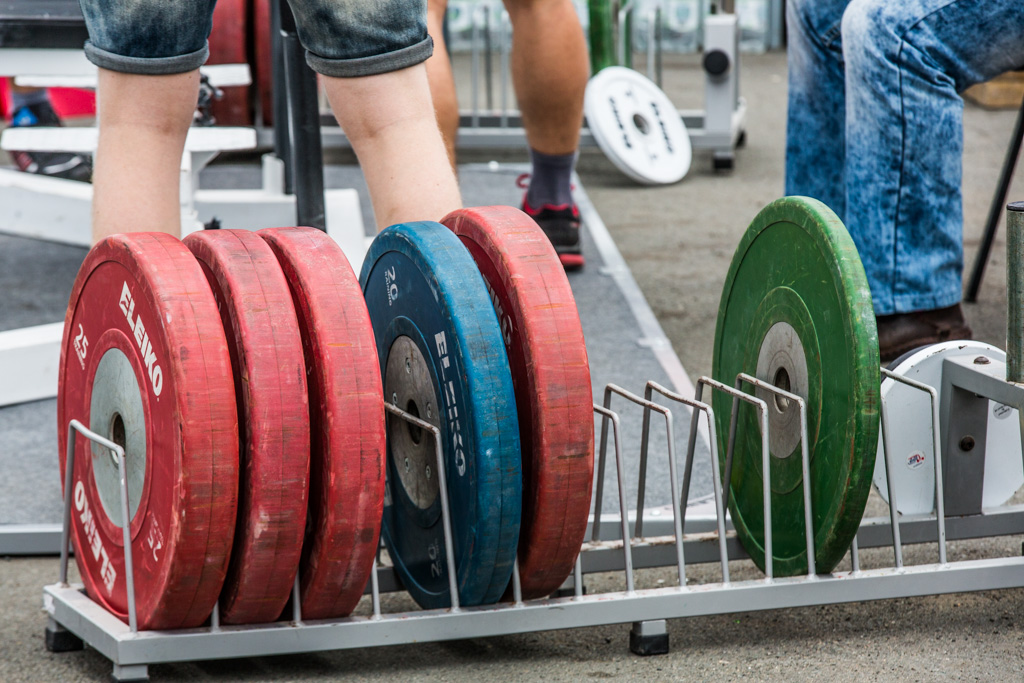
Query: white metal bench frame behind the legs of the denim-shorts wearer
(59, 210)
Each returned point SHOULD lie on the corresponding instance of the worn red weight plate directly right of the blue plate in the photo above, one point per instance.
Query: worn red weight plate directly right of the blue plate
(551, 376)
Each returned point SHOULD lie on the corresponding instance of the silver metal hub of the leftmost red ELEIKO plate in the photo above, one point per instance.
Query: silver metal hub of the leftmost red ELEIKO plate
(116, 412)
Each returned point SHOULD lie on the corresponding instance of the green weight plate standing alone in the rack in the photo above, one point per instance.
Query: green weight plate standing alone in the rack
(797, 275)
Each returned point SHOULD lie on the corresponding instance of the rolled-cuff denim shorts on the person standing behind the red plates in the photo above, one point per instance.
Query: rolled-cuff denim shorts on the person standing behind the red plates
(344, 38)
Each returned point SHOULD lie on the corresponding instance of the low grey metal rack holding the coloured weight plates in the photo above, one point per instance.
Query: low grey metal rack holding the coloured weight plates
(618, 544)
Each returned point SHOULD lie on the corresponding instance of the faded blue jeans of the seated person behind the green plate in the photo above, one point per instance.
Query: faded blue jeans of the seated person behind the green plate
(876, 129)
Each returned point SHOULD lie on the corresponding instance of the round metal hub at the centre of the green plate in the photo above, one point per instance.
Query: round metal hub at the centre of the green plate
(783, 363)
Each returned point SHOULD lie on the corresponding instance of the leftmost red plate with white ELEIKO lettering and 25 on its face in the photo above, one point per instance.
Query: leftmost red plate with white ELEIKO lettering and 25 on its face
(145, 363)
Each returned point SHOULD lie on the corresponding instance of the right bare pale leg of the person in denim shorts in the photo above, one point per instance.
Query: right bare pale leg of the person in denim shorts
(390, 121)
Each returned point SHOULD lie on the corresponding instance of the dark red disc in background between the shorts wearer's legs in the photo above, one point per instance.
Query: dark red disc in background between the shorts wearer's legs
(230, 46)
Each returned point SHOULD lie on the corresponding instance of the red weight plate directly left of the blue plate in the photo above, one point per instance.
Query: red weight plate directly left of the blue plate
(347, 420)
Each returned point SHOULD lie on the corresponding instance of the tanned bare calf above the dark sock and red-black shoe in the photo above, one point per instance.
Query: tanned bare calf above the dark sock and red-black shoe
(549, 72)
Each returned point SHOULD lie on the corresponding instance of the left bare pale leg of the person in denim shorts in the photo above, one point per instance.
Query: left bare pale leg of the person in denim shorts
(144, 121)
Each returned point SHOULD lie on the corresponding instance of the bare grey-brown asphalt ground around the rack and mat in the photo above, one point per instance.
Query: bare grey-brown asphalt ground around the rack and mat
(678, 242)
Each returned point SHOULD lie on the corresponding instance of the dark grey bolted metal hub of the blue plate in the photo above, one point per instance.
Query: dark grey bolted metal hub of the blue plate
(409, 385)
